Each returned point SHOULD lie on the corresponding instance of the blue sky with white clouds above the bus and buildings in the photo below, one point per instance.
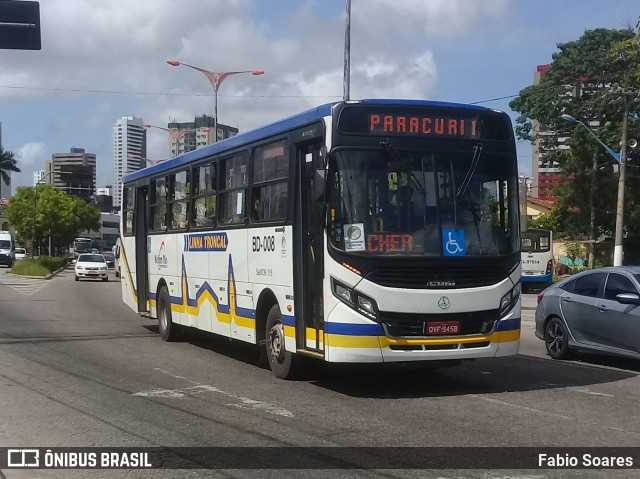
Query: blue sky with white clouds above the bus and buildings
(103, 60)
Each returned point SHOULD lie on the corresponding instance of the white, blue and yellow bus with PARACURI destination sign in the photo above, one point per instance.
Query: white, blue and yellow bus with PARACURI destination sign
(370, 231)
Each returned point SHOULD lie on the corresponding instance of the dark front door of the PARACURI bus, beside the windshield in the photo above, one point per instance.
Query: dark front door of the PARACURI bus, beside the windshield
(309, 258)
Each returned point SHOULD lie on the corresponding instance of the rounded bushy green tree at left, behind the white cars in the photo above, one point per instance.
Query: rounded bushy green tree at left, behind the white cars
(58, 215)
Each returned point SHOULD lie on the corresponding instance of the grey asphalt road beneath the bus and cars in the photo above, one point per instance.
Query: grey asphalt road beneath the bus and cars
(78, 368)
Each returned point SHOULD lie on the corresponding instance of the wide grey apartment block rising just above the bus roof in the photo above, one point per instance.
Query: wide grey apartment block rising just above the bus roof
(191, 135)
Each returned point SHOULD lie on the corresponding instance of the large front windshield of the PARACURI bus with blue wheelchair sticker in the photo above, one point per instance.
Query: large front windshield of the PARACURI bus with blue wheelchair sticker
(419, 202)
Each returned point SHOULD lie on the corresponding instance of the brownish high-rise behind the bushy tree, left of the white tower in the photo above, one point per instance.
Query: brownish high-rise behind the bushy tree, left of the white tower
(75, 173)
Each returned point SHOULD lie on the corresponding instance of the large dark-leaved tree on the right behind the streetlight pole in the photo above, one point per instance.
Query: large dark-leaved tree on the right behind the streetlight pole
(586, 81)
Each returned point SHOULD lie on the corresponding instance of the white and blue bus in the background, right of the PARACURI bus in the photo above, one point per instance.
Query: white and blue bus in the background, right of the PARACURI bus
(537, 258)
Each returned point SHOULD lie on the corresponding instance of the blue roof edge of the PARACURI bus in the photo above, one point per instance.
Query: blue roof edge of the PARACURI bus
(290, 123)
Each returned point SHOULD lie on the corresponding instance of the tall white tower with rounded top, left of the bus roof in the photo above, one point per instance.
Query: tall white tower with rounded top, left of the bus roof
(129, 143)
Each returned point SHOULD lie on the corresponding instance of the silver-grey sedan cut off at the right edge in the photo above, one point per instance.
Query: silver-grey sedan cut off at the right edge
(596, 310)
